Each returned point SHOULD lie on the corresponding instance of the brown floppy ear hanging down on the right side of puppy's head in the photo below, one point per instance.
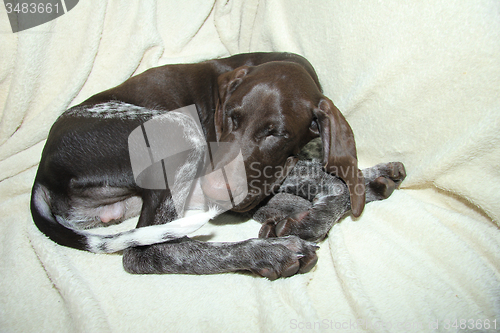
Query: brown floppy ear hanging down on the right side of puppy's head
(339, 151)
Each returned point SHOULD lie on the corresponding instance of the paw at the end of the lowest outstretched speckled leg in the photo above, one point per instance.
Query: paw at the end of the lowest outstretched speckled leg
(282, 256)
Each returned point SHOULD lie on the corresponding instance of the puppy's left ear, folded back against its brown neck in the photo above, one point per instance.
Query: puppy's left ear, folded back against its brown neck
(228, 82)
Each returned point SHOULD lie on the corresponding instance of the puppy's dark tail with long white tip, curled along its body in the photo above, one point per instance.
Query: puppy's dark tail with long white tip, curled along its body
(83, 240)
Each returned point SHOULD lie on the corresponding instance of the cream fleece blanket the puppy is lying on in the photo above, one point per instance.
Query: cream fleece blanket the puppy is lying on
(419, 83)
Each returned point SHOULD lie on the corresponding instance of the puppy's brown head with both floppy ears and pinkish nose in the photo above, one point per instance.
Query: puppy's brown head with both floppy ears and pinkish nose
(268, 113)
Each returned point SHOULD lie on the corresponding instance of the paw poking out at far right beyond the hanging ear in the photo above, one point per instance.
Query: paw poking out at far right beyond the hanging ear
(383, 179)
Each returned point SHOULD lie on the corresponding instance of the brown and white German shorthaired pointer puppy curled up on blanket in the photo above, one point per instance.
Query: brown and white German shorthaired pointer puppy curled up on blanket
(266, 105)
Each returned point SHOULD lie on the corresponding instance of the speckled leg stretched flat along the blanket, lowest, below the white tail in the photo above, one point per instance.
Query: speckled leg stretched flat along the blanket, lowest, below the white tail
(271, 258)
